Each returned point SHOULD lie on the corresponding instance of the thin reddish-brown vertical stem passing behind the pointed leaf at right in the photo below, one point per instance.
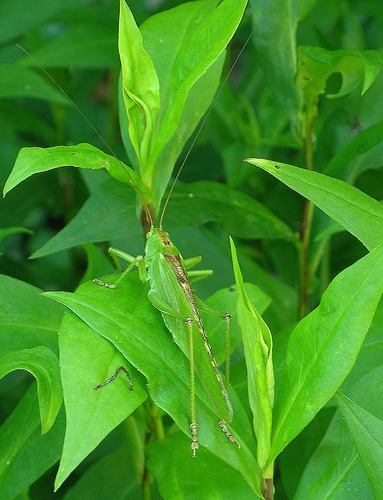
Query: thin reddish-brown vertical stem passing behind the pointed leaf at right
(306, 223)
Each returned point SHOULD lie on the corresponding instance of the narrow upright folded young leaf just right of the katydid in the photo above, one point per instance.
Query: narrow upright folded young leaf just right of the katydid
(258, 345)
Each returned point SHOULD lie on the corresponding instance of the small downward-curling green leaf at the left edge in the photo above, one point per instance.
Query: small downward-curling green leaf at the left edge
(43, 365)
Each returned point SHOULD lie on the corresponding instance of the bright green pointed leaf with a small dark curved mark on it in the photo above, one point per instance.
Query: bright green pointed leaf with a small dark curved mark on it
(86, 360)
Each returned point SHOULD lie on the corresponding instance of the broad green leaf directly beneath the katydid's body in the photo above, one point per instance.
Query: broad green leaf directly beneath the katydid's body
(126, 318)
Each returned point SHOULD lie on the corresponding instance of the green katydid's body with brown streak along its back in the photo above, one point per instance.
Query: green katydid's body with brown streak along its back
(171, 293)
